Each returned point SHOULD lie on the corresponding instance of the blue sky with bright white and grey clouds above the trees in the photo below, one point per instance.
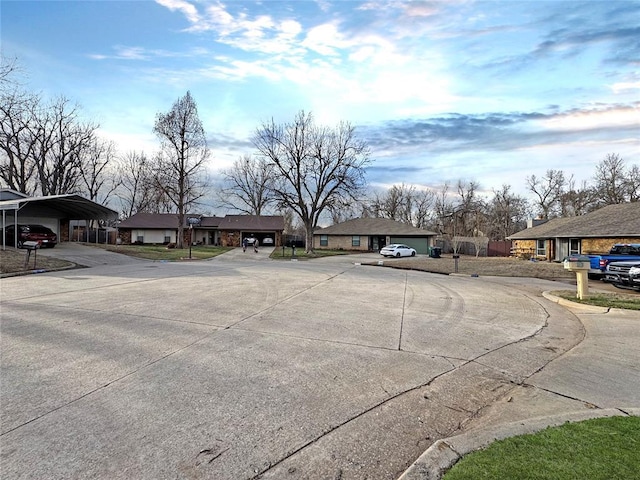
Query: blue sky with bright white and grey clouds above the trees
(483, 91)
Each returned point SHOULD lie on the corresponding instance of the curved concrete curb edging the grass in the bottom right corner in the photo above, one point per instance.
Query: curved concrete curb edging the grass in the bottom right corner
(443, 454)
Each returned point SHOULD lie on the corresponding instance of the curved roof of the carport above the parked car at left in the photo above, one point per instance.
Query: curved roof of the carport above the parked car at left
(73, 207)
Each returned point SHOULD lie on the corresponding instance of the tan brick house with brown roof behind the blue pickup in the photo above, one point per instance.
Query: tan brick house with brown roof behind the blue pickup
(593, 233)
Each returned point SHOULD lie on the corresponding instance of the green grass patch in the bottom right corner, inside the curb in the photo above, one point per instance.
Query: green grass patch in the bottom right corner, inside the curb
(597, 449)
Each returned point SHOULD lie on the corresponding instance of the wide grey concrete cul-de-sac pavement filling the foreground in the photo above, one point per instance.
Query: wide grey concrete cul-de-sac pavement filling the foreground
(229, 369)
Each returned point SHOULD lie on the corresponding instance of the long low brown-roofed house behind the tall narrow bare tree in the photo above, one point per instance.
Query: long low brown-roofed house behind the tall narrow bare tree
(227, 231)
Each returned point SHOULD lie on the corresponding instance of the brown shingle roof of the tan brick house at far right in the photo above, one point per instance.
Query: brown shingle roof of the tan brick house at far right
(621, 220)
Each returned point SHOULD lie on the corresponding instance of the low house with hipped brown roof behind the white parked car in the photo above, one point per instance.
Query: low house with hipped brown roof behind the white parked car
(371, 234)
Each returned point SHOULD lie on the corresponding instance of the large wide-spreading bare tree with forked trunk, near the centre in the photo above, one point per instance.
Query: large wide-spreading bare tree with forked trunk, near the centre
(317, 168)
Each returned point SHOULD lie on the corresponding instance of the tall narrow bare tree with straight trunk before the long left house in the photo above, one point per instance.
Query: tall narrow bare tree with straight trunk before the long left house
(179, 167)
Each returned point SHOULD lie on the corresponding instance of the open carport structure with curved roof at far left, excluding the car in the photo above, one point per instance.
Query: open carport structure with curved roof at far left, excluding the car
(58, 212)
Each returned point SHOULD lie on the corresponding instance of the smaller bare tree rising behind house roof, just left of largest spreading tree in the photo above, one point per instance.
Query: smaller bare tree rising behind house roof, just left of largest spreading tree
(247, 185)
